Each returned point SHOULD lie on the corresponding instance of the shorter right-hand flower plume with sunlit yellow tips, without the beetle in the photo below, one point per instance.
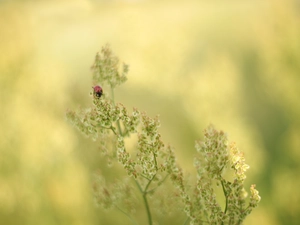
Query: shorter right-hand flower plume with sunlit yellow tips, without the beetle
(215, 156)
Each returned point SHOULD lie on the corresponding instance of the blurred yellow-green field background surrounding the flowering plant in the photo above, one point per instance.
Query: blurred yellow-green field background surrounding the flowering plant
(235, 64)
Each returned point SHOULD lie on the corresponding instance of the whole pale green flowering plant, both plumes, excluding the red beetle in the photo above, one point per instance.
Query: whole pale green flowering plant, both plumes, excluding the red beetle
(150, 163)
